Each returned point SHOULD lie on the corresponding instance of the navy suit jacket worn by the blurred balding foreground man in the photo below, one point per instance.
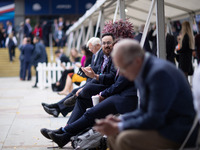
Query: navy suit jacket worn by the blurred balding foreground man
(166, 102)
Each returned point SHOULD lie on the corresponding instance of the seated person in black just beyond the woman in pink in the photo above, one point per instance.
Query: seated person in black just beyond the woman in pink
(74, 59)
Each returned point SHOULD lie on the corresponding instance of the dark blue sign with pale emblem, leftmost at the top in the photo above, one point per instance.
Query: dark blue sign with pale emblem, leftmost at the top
(36, 7)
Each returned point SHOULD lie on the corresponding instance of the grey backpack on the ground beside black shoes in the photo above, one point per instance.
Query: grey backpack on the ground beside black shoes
(89, 139)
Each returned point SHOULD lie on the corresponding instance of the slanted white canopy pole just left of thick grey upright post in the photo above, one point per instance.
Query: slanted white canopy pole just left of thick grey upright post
(147, 23)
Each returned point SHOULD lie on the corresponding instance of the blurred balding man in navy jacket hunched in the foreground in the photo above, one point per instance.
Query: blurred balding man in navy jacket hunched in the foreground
(165, 114)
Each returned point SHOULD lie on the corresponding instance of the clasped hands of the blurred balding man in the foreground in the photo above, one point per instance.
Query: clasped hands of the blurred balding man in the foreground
(106, 127)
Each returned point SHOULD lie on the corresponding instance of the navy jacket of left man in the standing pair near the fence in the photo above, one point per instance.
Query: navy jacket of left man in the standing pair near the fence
(27, 51)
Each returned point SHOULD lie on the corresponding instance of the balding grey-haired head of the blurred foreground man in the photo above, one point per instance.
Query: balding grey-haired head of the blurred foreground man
(128, 57)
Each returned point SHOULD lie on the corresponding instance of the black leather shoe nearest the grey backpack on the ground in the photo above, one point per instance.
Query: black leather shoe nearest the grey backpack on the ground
(60, 139)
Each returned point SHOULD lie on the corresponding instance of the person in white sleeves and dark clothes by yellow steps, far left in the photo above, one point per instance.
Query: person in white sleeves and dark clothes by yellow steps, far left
(11, 43)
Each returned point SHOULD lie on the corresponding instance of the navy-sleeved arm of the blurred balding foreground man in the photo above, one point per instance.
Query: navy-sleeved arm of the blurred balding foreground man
(161, 94)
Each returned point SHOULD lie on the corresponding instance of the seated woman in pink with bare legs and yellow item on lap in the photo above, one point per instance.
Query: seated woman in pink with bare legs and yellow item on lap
(74, 77)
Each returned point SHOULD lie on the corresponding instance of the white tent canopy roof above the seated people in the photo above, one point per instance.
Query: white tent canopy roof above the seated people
(137, 11)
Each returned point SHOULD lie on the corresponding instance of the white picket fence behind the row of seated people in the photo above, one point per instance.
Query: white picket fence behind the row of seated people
(50, 73)
